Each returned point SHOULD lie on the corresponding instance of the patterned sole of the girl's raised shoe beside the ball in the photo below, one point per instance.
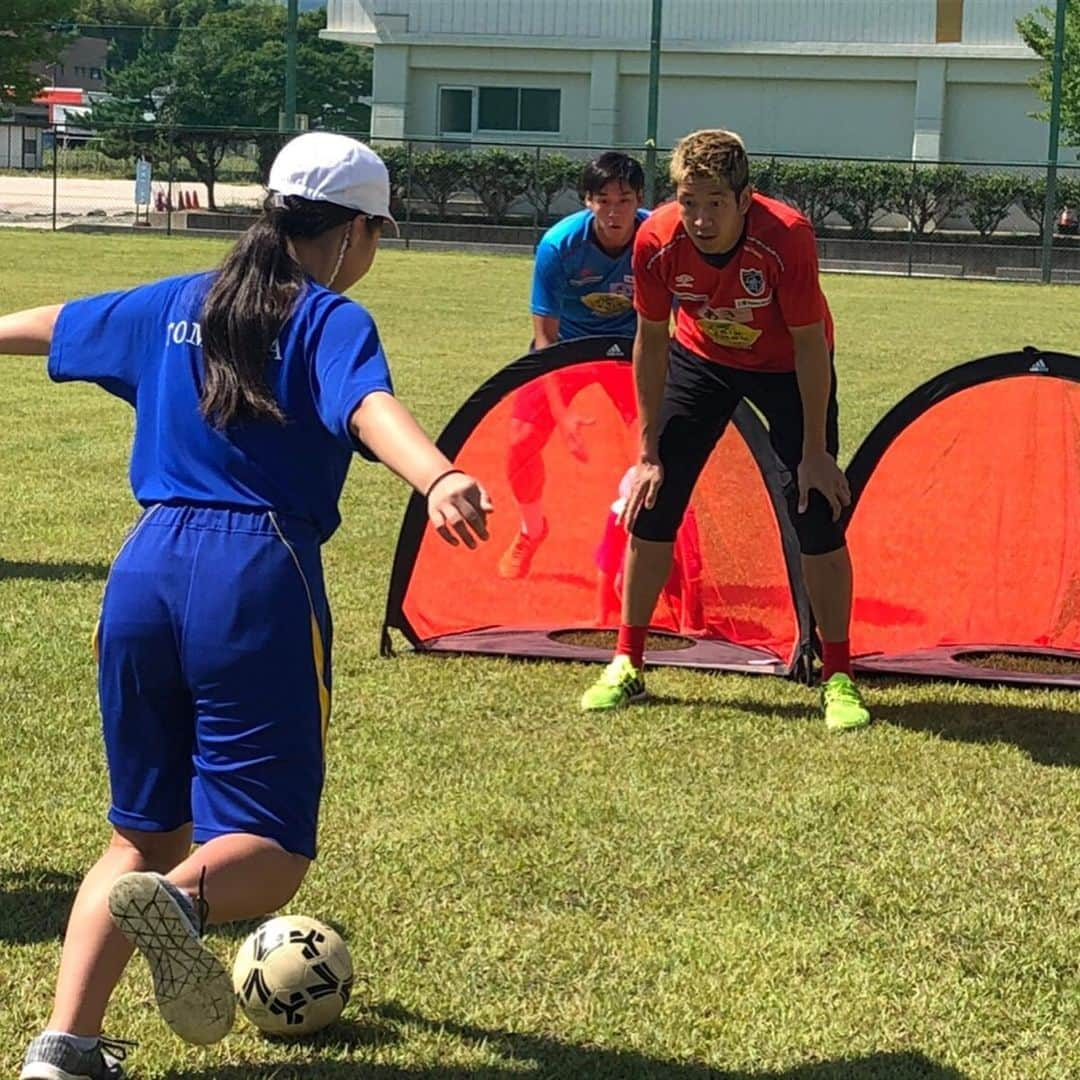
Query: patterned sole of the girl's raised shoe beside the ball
(194, 992)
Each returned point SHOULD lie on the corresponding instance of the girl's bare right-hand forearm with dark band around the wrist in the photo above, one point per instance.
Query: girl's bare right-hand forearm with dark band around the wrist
(457, 505)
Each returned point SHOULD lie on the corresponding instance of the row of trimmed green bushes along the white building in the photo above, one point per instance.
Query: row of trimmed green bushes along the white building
(860, 194)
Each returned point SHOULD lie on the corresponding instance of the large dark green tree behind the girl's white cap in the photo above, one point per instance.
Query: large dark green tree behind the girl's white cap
(223, 80)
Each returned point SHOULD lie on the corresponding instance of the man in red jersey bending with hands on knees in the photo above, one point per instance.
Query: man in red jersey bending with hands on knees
(751, 322)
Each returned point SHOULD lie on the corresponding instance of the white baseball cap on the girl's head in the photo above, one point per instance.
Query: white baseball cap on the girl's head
(330, 168)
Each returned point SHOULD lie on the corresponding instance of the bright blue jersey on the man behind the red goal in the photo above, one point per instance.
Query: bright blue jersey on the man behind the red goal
(578, 283)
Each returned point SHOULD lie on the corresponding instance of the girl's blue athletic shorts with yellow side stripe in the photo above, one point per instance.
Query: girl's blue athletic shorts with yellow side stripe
(214, 676)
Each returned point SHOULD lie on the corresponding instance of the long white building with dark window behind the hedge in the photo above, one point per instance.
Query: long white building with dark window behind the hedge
(931, 79)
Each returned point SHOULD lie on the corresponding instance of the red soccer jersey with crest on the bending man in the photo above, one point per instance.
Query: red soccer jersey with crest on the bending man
(737, 315)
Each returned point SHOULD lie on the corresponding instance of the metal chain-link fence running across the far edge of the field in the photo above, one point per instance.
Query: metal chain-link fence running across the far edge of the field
(961, 221)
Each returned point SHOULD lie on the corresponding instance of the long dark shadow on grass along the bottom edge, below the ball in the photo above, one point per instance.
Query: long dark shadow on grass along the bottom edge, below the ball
(544, 1058)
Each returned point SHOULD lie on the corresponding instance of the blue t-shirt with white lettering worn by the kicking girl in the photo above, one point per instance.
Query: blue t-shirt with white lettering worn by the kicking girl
(144, 345)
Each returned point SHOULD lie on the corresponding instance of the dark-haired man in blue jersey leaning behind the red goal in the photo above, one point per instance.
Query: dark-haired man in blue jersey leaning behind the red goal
(583, 285)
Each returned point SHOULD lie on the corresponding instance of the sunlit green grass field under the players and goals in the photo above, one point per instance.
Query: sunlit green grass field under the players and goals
(708, 887)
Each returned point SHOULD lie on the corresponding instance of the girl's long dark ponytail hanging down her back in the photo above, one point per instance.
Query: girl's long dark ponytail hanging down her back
(249, 303)
